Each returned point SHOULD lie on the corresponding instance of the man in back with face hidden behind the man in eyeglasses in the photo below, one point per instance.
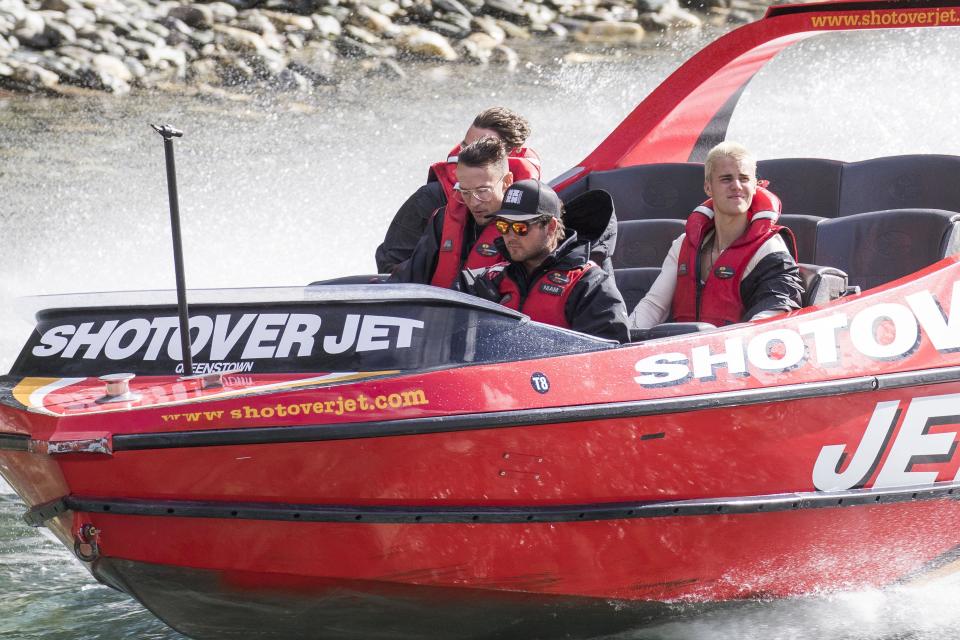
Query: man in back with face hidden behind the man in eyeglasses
(410, 221)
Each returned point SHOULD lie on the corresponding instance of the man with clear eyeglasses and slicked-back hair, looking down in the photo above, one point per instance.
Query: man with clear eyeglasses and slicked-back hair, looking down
(459, 236)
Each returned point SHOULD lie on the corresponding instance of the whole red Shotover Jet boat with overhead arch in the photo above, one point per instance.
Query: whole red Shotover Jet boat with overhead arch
(393, 461)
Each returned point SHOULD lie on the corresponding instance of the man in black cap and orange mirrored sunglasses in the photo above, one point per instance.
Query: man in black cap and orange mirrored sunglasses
(550, 276)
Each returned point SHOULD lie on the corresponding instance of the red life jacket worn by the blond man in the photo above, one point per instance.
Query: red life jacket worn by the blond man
(720, 302)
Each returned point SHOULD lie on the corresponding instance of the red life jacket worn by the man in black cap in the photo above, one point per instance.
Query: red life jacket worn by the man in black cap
(546, 302)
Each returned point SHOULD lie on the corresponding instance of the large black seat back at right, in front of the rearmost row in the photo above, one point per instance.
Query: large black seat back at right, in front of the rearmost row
(880, 246)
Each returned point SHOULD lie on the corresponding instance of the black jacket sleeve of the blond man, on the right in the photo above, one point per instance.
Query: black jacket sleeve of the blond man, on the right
(773, 285)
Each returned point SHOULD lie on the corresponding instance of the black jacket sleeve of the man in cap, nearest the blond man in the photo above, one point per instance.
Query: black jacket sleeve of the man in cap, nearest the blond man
(596, 307)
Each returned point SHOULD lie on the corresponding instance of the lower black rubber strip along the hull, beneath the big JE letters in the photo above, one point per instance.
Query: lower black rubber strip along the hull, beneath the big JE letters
(493, 515)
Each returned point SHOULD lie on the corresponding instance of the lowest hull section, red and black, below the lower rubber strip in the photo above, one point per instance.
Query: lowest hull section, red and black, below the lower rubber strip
(296, 579)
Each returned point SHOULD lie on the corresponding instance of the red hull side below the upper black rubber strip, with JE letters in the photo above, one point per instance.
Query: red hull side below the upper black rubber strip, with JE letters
(580, 527)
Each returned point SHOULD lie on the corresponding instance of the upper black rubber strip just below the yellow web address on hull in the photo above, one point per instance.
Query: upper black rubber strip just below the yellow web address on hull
(526, 417)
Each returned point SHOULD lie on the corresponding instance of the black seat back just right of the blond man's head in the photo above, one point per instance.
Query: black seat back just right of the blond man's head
(805, 186)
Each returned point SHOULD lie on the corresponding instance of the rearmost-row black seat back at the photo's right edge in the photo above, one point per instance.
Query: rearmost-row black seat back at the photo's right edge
(900, 182)
